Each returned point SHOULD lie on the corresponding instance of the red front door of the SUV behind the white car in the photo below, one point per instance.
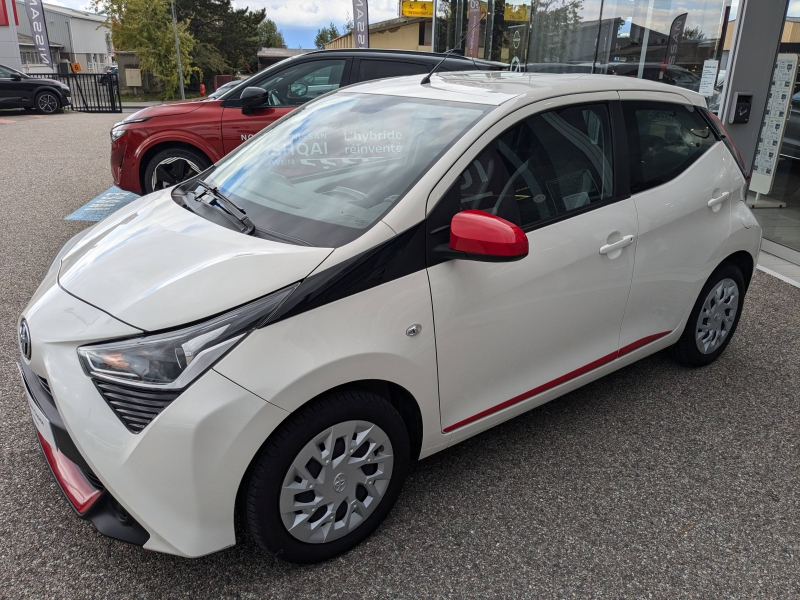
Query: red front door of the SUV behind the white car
(288, 88)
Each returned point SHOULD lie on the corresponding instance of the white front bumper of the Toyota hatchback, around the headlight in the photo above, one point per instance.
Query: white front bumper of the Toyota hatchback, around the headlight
(179, 477)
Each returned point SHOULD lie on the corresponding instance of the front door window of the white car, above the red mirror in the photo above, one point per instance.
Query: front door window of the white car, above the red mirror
(543, 168)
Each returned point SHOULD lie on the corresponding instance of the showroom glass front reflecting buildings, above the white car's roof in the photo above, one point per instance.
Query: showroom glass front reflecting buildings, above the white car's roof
(663, 40)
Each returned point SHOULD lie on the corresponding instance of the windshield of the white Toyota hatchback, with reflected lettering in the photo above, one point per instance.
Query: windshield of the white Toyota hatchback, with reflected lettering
(334, 167)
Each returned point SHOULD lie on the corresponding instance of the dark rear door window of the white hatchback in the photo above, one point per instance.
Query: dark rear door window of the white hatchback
(664, 140)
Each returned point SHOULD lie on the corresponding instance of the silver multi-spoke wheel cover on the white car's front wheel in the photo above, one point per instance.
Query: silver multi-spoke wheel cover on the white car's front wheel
(336, 481)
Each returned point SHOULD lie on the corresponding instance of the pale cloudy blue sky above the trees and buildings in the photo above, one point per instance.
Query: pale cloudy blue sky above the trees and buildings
(299, 20)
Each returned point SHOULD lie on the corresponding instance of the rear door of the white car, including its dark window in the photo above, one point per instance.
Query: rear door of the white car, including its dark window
(681, 183)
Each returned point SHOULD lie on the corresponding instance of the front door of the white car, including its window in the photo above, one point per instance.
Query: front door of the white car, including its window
(508, 332)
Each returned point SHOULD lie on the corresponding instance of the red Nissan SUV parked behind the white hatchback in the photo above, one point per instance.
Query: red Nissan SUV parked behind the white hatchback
(162, 145)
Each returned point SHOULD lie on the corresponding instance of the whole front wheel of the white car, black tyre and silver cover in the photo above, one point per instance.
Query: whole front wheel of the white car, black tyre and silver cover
(333, 500)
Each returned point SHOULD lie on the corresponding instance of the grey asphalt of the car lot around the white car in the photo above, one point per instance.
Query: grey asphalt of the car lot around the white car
(654, 482)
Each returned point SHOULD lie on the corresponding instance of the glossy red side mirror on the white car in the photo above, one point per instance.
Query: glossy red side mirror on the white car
(486, 237)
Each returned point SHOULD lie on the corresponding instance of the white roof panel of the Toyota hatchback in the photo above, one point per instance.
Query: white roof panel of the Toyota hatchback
(497, 87)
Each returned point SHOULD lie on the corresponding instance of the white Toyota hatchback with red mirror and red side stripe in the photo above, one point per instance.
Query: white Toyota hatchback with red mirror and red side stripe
(417, 263)
